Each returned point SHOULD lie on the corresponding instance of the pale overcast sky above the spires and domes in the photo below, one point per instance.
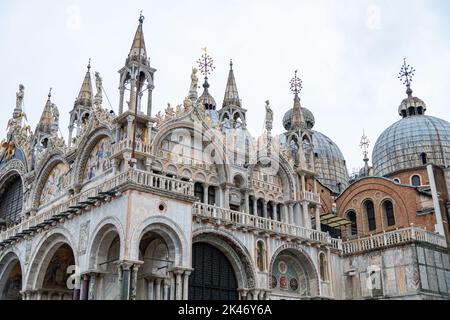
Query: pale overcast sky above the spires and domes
(348, 54)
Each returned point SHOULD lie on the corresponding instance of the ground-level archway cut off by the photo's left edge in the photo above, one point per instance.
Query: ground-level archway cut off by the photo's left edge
(10, 278)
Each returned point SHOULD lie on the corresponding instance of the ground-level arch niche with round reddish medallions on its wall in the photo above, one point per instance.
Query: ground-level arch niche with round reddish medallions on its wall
(293, 275)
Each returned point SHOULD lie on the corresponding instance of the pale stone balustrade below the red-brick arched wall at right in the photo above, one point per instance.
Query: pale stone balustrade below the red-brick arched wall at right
(412, 234)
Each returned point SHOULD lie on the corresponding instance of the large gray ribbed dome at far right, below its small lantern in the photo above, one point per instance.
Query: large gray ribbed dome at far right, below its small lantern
(403, 144)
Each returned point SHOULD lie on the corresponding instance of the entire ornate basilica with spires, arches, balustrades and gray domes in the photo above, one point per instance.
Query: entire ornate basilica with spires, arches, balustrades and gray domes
(185, 204)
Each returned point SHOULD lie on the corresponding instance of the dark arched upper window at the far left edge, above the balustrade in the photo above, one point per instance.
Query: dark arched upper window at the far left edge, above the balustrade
(11, 199)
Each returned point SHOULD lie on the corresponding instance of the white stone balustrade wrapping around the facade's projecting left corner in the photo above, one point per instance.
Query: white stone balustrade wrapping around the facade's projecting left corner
(141, 178)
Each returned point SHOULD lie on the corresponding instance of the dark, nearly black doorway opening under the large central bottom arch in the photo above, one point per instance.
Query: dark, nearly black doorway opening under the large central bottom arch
(214, 277)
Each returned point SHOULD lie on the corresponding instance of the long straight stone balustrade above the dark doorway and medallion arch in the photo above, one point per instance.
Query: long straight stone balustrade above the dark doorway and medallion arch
(227, 216)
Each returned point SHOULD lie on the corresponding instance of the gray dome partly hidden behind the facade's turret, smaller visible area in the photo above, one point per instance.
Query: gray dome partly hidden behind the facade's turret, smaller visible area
(330, 163)
